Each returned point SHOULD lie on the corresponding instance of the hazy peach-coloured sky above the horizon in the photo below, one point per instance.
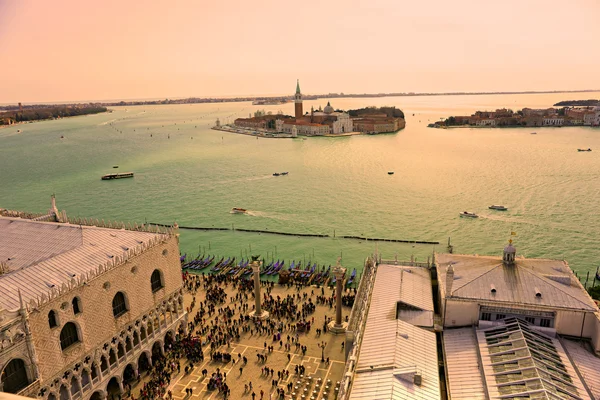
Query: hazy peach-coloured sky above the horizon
(73, 50)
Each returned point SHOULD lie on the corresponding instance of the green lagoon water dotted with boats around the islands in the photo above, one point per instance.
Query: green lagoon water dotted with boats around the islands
(197, 175)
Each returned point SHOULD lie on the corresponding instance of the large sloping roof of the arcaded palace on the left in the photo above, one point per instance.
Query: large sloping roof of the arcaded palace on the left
(42, 254)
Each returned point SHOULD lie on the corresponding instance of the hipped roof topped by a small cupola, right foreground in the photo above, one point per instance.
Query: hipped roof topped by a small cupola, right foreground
(475, 275)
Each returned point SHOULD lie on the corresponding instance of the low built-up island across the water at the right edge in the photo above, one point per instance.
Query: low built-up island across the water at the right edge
(565, 116)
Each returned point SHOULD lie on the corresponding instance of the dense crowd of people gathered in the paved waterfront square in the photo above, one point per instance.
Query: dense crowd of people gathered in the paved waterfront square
(221, 319)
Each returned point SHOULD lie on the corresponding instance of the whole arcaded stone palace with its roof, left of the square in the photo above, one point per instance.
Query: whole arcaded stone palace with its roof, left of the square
(83, 307)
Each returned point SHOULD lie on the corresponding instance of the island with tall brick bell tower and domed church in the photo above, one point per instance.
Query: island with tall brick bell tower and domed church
(322, 122)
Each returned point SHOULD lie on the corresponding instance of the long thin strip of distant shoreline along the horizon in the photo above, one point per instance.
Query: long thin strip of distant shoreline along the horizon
(197, 100)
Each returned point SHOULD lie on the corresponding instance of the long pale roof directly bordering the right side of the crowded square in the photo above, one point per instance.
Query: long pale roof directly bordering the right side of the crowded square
(397, 360)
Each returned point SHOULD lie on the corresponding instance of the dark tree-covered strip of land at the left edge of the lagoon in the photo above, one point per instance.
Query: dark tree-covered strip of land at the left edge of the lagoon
(30, 114)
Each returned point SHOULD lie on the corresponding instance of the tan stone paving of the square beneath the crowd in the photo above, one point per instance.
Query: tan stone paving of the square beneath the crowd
(253, 345)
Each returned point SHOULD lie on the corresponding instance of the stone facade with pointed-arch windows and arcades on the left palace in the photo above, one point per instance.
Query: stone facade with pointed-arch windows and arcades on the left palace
(111, 341)
